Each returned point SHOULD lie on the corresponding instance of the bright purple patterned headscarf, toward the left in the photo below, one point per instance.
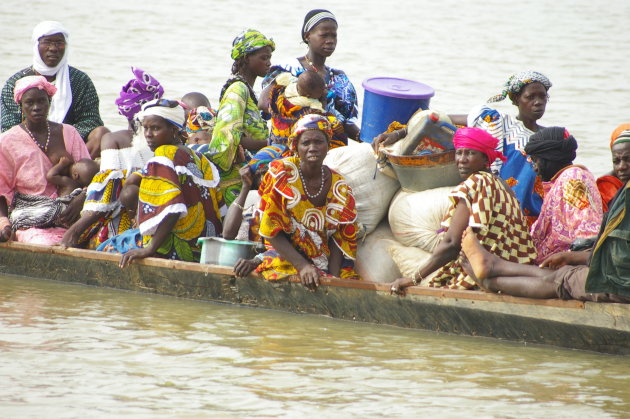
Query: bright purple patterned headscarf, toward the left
(138, 91)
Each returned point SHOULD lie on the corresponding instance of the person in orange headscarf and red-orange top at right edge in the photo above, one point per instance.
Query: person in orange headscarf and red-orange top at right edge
(610, 183)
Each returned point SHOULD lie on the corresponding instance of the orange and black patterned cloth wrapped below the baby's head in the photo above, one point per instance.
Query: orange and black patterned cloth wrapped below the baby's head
(284, 114)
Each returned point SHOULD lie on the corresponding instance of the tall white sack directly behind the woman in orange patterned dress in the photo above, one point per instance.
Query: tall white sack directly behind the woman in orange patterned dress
(357, 165)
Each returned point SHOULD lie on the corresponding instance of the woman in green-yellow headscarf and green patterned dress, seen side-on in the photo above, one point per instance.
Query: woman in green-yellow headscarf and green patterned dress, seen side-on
(239, 121)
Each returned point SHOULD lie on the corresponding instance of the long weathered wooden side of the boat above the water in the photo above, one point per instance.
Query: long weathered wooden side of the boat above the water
(573, 324)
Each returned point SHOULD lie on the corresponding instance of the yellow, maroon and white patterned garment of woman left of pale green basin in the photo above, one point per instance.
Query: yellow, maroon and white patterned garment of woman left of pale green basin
(179, 181)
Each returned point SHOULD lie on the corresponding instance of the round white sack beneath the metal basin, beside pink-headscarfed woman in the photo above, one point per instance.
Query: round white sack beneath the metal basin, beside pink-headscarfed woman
(415, 217)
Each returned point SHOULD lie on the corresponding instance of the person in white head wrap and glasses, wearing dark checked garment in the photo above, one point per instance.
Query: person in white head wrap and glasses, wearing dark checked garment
(76, 101)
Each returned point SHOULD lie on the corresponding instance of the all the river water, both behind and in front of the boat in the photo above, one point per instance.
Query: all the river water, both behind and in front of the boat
(72, 351)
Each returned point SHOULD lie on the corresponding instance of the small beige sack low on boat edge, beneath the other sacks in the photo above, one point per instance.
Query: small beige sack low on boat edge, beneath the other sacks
(374, 262)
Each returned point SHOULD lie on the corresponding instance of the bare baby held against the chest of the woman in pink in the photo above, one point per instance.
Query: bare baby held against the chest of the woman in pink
(68, 175)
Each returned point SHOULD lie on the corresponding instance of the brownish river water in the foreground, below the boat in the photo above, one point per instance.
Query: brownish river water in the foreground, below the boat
(71, 351)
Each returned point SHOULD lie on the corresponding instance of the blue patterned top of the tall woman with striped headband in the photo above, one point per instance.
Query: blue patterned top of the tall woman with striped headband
(342, 96)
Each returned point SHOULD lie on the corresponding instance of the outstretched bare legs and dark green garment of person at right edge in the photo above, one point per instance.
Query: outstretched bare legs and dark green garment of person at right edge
(601, 275)
